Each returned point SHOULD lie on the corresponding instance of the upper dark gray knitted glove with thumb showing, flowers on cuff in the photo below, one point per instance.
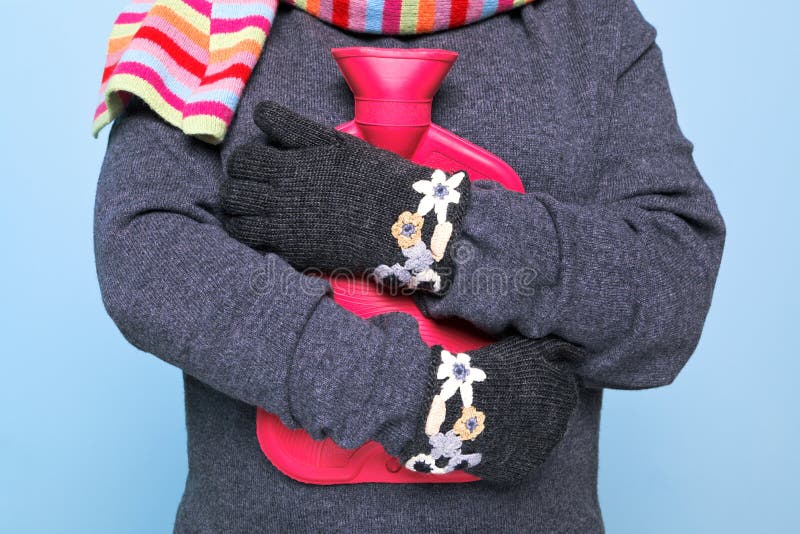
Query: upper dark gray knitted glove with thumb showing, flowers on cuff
(325, 199)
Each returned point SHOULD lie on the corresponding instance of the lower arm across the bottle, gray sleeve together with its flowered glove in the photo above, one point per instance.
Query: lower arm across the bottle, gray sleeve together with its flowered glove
(257, 330)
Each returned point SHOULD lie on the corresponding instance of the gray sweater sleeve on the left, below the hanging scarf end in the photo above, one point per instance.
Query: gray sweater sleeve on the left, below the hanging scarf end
(248, 325)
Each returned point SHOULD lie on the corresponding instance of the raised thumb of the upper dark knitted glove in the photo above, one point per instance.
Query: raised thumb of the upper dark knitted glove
(288, 129)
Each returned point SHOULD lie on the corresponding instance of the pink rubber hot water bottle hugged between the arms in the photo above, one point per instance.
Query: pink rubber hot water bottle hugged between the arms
(393, 89)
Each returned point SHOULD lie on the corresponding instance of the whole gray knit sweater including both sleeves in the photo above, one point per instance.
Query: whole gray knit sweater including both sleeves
(618, 237)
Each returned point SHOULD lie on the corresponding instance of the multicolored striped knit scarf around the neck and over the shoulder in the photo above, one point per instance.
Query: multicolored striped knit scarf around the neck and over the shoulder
(190, 59)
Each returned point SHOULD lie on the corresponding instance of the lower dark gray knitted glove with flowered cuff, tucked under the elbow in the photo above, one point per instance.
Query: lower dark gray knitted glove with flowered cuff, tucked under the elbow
(496, 412)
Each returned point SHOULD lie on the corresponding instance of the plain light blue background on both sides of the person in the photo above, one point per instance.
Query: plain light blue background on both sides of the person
(92, 431)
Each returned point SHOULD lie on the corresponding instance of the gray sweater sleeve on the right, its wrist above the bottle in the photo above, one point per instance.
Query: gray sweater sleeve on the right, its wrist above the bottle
(628, 276)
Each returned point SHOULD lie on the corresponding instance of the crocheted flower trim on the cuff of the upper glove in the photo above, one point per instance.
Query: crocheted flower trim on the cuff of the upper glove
(423, 237)
